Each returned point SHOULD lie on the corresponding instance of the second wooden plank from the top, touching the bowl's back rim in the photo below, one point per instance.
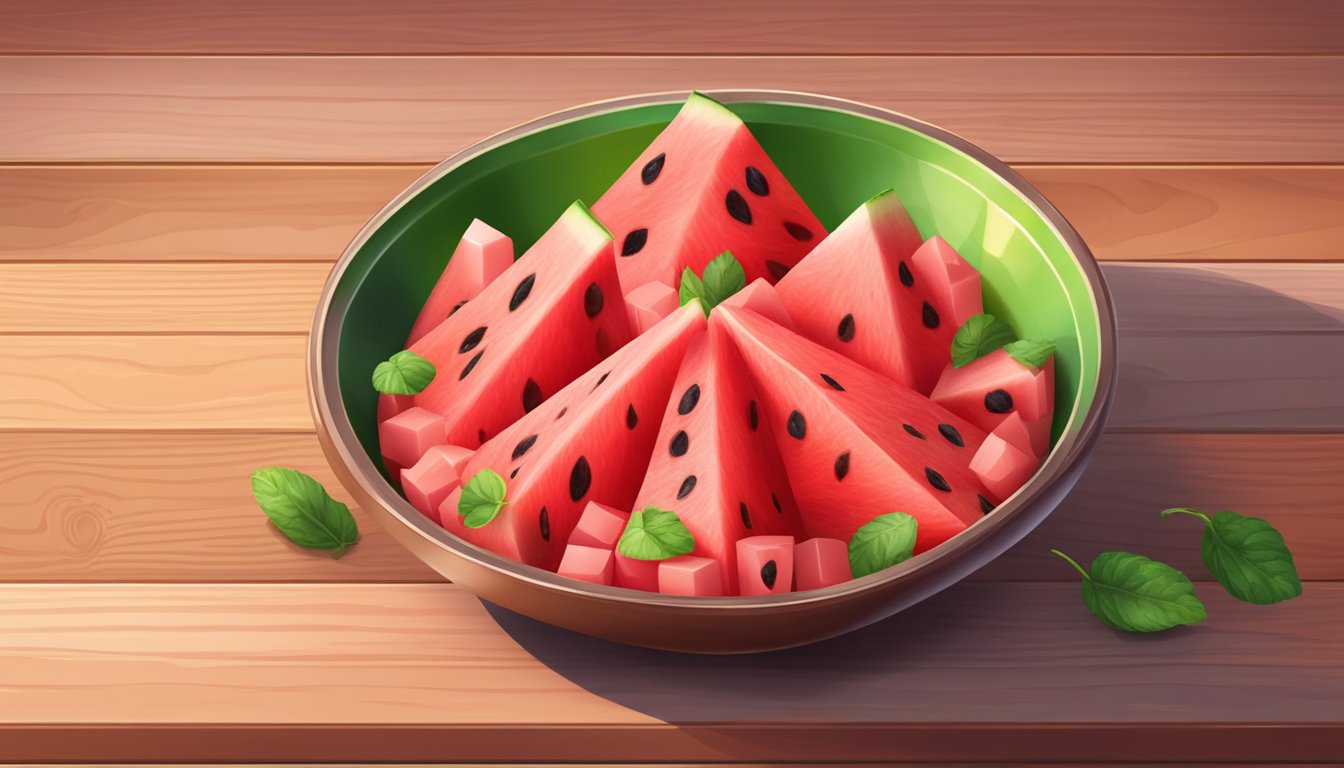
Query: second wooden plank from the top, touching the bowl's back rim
(421, 110)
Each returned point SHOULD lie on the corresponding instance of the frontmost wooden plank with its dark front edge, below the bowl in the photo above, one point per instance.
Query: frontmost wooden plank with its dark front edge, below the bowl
(420, 670)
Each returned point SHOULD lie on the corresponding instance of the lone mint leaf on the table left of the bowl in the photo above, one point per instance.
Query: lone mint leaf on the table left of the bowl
(303, 510)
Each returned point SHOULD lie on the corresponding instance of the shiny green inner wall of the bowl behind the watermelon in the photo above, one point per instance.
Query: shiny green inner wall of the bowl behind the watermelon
(835, 159)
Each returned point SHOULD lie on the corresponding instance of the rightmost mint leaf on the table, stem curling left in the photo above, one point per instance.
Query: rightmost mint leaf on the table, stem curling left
(1248, 556)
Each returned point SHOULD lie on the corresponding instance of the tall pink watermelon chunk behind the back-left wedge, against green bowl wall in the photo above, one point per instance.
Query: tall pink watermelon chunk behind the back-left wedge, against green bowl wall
(482, 256)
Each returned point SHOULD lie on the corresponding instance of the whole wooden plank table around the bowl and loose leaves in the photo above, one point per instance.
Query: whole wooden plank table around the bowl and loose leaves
(177, 178)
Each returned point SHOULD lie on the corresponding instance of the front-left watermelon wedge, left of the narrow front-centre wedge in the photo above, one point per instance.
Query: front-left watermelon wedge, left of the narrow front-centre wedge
(588, 443)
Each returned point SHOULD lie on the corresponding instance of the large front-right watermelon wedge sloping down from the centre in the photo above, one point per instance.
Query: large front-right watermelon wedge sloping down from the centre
(857, 445)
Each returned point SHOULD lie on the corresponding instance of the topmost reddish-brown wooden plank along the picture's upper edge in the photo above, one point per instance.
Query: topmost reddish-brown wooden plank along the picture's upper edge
(647, 28)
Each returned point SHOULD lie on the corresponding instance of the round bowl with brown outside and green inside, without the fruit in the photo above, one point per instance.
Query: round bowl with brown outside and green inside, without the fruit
(1037, 272)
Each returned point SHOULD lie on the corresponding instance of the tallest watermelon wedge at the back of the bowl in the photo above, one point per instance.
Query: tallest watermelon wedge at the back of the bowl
(702, 188)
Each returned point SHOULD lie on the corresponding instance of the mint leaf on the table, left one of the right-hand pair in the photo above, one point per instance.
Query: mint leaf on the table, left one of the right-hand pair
(1134, 594)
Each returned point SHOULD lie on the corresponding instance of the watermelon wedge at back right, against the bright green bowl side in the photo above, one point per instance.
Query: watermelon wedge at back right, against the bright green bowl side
(858, 295)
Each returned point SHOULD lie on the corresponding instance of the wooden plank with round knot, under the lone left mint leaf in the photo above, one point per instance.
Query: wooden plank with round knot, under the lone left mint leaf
(177, 506)
